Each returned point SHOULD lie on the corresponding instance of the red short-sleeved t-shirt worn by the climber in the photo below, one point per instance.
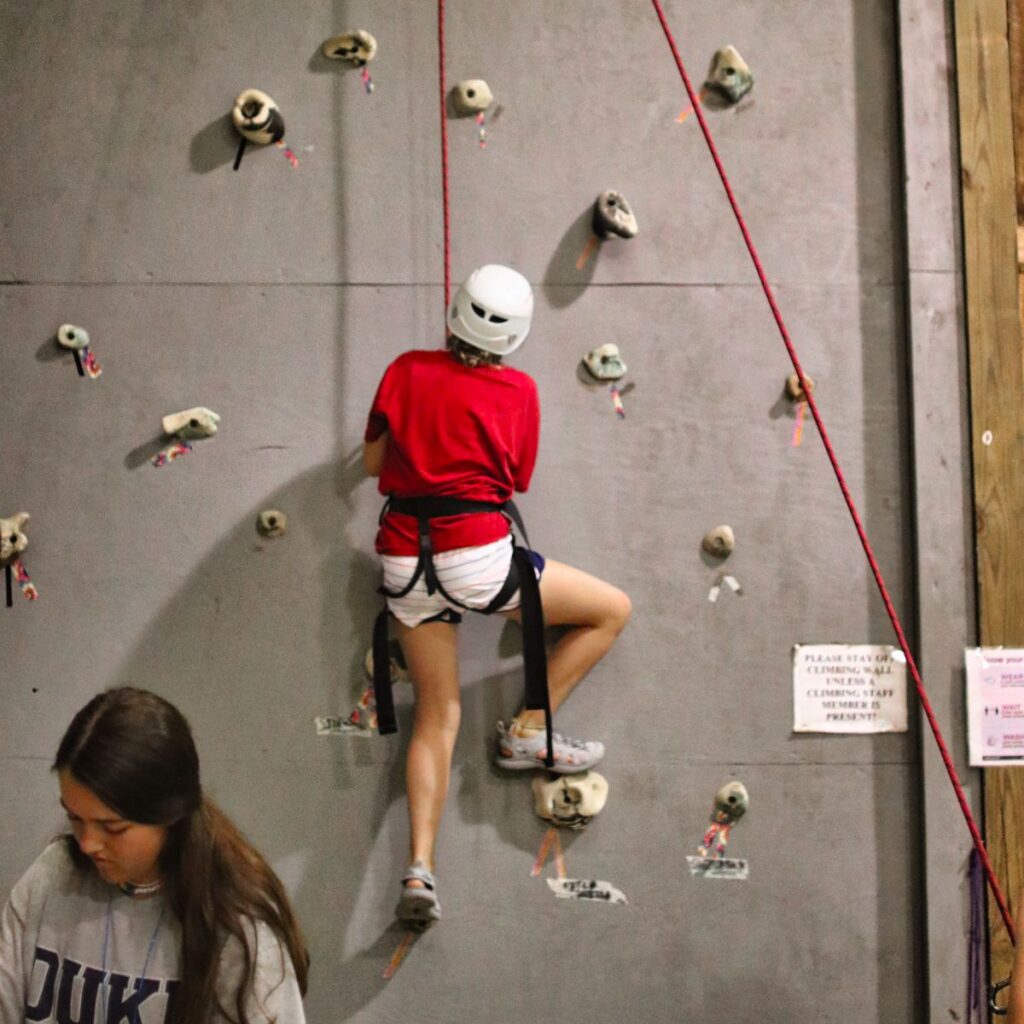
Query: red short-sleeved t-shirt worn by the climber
(455, 432)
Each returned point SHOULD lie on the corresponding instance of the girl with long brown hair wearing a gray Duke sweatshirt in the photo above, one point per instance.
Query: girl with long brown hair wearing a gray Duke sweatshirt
(155, 910)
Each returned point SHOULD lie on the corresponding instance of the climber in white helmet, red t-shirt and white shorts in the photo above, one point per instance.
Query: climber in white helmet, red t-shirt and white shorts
(452, 435)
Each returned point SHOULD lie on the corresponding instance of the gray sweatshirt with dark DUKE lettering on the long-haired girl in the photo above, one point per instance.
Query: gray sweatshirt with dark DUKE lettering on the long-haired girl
(77, 951)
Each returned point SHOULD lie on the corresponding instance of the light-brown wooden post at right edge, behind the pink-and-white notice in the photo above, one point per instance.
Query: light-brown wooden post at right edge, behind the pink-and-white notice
(997, 394)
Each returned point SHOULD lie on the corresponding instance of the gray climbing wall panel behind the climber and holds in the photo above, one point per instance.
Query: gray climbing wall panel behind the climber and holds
(277, 296)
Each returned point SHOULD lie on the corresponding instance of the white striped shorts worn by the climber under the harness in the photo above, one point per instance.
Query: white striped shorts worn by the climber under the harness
(472, 576)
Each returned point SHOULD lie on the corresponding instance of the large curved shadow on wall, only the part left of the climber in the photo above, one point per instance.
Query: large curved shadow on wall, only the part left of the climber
(263, 637)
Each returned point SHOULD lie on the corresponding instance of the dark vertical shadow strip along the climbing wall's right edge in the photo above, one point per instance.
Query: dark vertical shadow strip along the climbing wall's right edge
(886, 370)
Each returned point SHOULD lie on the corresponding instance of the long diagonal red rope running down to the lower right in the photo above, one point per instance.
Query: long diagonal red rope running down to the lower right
(866, 544)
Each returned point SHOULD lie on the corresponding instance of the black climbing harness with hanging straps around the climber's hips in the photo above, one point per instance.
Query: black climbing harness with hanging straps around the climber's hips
(522, 577)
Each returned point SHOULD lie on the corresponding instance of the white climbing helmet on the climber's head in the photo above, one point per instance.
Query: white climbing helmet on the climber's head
(493, 310)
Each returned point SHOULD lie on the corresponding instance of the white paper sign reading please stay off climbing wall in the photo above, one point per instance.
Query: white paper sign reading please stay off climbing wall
(848, 689)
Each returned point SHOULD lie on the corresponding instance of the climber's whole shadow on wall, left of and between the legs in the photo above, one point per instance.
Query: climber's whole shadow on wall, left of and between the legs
(263, 637)
